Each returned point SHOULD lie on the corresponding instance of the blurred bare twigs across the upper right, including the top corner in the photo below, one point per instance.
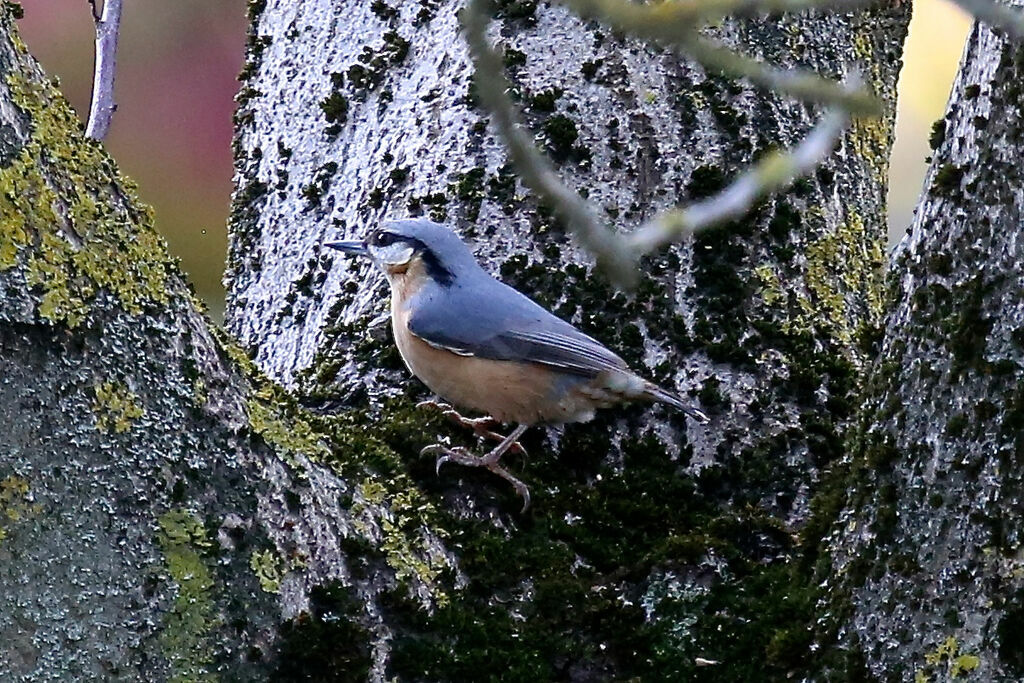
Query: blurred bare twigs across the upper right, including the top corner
(678, 24)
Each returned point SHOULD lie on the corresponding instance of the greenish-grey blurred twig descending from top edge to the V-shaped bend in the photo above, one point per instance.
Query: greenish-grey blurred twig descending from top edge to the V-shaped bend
(492, 87)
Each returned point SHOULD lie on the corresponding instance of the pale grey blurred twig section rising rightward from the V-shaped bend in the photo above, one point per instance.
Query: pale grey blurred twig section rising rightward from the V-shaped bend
(772, 175)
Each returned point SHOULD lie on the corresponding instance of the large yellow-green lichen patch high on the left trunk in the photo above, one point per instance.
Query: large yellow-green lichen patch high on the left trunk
(104, 238)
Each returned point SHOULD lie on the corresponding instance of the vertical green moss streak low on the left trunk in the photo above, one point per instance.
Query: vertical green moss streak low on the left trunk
(186, 636)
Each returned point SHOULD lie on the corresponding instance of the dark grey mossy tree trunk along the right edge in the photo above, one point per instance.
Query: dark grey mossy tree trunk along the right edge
(928, 558)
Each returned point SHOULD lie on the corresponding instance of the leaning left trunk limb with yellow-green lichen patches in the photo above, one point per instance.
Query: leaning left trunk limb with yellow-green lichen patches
(161, 515)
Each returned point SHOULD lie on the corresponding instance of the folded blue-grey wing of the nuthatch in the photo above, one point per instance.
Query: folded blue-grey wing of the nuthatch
(503, 325)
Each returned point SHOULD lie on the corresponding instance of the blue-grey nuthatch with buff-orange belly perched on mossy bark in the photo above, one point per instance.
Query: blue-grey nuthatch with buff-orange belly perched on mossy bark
(484, 346)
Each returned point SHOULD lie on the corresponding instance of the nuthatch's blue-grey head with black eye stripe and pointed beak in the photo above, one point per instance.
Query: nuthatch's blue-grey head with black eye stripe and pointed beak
(413, 248)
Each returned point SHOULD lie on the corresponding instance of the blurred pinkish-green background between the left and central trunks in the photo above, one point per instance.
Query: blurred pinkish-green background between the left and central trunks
(178, 67)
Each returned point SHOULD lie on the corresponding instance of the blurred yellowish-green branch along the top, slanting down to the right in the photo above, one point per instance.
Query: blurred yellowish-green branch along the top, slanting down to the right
(676, 24)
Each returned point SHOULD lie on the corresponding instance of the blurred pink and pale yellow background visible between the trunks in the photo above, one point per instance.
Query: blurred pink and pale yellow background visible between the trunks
(177, 82)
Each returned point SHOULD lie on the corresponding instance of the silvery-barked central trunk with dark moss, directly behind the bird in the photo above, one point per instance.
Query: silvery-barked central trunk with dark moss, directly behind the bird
(650, 546)
